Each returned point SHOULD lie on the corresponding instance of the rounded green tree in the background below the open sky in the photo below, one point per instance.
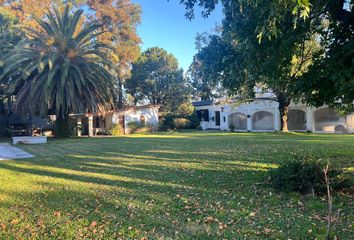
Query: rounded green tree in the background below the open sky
(157, 79)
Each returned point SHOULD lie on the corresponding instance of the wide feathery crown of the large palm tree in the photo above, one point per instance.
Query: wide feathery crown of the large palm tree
(62, 68)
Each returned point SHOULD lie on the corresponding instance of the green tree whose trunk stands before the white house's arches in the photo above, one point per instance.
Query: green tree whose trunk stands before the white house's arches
(241, 61)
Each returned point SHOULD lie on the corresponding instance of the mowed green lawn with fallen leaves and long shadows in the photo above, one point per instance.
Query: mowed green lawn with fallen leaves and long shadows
(168, 186)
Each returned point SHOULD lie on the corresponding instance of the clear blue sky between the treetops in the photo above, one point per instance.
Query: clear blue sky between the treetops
(164, 25)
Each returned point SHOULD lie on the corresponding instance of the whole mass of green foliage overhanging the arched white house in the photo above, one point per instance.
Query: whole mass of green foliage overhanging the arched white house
(301, 50)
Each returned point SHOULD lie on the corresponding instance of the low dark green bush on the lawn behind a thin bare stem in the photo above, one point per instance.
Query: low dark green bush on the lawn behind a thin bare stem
(306, 176)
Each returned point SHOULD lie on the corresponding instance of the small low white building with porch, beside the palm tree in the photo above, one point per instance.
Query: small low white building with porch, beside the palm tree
(100, 124)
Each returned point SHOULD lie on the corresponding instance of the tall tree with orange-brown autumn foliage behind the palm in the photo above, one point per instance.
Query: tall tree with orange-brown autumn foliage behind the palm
(119, 18)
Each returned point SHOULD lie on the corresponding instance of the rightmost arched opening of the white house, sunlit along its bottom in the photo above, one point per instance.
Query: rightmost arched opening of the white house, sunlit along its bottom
(328, 120)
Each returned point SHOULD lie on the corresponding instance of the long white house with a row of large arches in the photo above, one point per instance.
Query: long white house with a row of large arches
(263, 115)
